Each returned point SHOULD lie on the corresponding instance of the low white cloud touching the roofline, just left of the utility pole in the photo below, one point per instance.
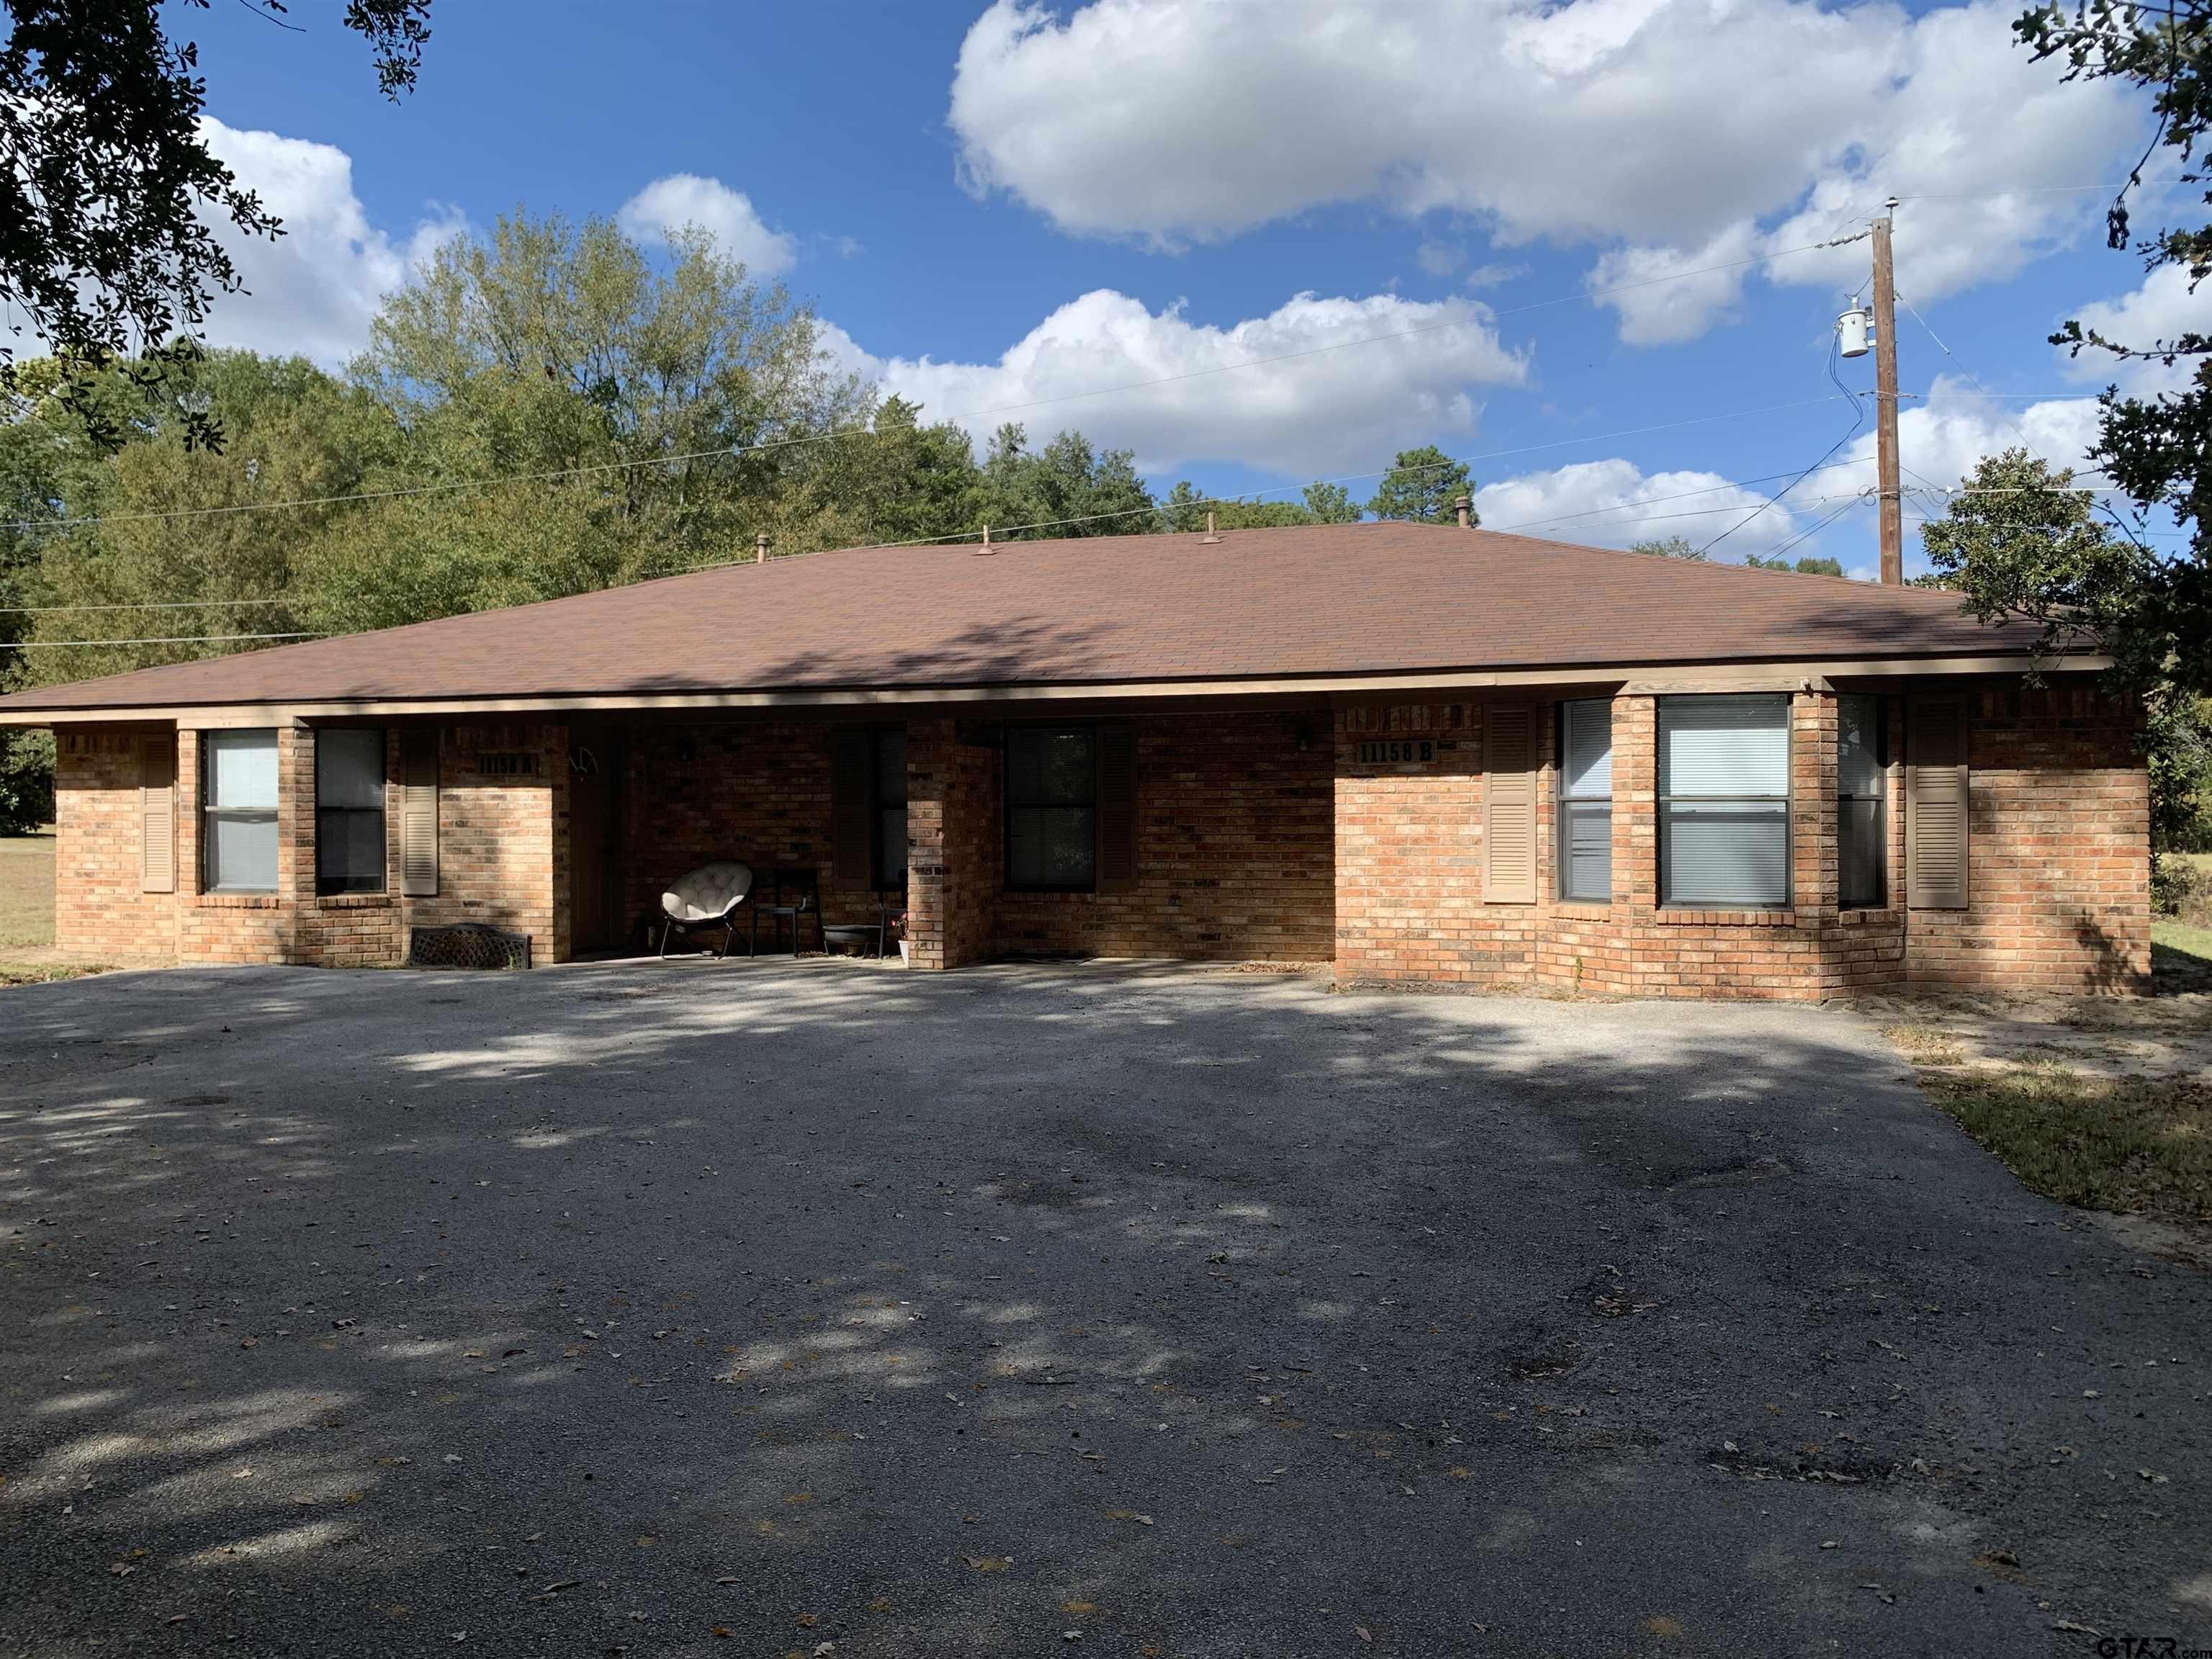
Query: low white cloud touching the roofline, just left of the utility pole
(1614, 503)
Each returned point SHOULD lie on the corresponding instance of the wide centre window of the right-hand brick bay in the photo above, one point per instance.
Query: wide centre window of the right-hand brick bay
(1724, 802)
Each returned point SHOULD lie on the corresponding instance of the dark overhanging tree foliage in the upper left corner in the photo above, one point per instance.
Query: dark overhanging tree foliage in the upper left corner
(109, 191)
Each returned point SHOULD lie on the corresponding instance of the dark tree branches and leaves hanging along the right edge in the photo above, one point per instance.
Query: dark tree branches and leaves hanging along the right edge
(2153, 450)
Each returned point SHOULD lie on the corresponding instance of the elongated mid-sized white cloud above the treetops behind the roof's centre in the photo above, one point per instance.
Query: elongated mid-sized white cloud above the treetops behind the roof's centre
(1295, 415)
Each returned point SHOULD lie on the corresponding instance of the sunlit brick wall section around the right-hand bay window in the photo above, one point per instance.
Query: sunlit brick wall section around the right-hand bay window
(2058, 866)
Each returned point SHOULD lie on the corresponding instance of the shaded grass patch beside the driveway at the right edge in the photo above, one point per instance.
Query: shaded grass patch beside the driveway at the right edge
(2131, 1145)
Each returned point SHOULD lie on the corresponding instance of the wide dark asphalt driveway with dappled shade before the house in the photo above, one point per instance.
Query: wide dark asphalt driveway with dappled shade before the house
(676, 1308)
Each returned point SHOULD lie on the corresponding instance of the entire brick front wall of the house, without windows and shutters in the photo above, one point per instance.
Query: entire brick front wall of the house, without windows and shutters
(1260, 837)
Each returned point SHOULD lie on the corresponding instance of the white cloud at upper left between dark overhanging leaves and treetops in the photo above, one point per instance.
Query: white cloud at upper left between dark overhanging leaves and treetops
(315, 289)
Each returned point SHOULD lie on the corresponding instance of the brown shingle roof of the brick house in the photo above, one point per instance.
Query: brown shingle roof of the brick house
(1288, 603)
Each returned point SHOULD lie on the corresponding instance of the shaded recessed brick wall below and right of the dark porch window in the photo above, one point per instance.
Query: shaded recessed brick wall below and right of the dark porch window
(1233, 851)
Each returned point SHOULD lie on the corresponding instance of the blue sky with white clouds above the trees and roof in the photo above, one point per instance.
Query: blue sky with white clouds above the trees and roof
(997, 207)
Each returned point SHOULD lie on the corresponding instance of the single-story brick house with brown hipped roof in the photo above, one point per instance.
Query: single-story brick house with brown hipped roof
(1419, 753)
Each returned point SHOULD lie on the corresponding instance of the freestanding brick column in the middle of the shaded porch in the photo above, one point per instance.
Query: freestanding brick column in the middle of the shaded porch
(952, 848)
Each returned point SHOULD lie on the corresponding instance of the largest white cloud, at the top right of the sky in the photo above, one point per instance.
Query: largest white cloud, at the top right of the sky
(1658, 127)
